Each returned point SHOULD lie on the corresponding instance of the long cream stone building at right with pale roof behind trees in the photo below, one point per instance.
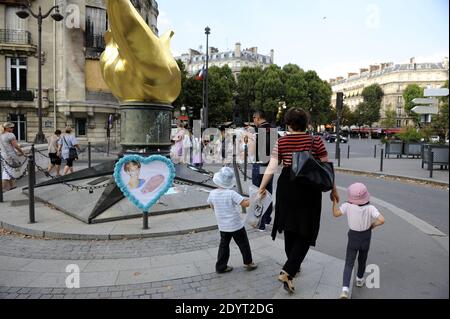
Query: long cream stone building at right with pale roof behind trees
(393, 79)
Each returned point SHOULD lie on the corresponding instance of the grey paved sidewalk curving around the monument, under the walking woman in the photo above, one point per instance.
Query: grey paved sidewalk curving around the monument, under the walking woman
(155, 270)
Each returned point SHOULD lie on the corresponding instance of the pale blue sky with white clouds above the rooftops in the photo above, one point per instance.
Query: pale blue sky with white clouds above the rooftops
(332, 37)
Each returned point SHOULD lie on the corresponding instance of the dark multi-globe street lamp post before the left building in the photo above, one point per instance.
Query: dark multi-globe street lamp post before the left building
(24, 13)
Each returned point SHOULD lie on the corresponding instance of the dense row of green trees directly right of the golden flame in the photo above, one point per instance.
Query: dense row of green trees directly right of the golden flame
(256, 88)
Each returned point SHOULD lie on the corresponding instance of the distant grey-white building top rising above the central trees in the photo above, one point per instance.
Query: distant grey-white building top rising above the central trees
(237, 59)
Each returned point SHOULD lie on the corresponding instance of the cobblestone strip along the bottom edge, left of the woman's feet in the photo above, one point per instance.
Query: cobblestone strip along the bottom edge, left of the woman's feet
(262, 284)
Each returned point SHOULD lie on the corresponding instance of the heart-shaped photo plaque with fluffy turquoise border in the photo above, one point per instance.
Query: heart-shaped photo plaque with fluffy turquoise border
(144, 180)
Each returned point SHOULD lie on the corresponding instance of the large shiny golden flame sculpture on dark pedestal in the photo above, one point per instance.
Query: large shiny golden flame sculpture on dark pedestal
(136, 64)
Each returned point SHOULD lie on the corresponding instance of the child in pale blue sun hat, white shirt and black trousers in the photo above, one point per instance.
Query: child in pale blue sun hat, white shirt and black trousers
(226, 204)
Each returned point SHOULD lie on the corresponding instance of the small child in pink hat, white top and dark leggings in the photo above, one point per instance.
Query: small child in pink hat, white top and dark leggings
(362, 218)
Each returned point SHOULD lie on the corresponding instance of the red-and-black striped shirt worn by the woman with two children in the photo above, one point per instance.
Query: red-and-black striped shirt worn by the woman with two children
(288, 144)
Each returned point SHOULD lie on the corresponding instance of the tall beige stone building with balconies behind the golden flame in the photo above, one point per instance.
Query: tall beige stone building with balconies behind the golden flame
(74, 93)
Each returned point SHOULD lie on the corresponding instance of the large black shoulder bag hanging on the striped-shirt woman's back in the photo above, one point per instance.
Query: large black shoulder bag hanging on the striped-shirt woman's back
(308, 170)
